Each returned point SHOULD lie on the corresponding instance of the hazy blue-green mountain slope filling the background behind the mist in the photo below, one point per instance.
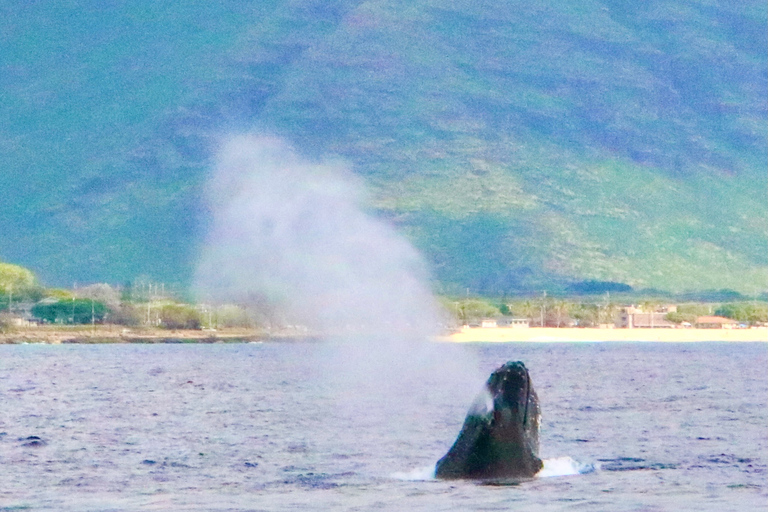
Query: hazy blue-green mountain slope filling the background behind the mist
(520, 146)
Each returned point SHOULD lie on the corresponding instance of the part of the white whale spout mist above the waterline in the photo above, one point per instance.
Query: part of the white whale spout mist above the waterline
(295, 233)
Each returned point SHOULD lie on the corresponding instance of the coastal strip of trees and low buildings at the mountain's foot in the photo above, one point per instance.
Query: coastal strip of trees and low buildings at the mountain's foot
(144, 311)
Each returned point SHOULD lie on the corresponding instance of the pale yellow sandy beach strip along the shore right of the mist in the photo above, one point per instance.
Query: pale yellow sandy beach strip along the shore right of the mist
(550, 334)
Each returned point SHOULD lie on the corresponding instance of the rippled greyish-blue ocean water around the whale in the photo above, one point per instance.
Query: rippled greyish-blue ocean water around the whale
(251, 427)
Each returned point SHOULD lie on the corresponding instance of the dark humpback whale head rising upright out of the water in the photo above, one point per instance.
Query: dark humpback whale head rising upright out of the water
(499, 440)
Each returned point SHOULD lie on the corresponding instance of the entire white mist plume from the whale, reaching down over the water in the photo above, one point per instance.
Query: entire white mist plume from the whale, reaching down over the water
(295, 234)
